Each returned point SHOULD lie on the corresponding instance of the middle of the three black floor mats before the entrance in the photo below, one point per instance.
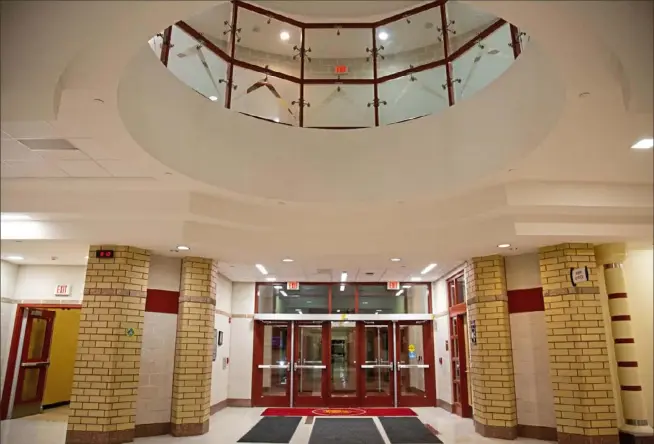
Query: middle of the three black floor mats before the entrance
(345, 431)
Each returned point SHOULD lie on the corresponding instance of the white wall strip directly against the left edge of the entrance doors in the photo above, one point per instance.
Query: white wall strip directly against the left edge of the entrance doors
(240, 374)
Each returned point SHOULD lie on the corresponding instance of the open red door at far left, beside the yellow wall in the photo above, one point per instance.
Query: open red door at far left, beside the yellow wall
(33, 363)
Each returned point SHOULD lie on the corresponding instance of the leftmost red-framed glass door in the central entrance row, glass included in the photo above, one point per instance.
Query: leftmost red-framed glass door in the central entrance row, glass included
(272, 364)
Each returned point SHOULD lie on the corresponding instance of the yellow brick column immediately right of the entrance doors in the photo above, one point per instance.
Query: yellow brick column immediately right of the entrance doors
(491, 358)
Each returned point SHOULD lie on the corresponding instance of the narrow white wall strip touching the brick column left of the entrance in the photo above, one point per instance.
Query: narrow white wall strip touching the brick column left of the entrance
(220, 375)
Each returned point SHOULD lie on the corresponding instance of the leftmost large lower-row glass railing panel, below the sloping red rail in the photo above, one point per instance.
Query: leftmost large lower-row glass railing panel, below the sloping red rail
(196, 66)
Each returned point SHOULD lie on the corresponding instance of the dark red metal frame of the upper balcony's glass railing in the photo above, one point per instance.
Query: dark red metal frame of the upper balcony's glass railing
(232, 61)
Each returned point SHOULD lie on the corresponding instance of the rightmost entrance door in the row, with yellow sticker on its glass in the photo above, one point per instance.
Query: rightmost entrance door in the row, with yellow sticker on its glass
(415, 364)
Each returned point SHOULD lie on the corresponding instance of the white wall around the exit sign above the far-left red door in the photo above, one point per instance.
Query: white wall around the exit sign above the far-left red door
(38, 282)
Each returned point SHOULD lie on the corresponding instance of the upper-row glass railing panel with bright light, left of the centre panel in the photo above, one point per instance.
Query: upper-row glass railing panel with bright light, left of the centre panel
(265, 41)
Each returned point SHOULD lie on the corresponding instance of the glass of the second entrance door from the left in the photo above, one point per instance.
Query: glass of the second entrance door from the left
(309, 353)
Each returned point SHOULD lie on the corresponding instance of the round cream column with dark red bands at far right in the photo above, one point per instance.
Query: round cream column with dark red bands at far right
(611, 257)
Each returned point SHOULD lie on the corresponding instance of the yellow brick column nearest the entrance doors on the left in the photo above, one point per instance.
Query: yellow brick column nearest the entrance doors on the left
(194, 347)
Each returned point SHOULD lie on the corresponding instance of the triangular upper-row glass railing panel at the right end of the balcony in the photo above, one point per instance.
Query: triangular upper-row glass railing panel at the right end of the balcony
(465, 23)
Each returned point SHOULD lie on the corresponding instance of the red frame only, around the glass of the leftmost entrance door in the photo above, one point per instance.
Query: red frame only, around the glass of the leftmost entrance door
(258, 397)
